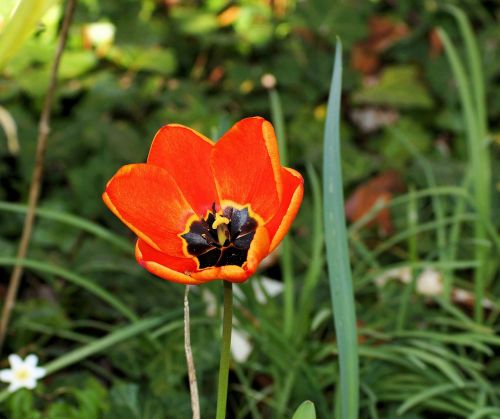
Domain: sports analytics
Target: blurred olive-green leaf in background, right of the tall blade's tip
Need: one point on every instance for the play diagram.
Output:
(399, 86)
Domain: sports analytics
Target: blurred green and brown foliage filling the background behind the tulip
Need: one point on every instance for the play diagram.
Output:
(132, 66)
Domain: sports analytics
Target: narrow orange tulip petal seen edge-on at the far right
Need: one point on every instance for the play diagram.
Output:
(293, 191)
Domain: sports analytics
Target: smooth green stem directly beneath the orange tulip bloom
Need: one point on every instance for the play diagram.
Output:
(225, 354)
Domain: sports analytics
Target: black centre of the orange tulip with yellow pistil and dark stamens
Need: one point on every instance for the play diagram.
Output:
(221, 239)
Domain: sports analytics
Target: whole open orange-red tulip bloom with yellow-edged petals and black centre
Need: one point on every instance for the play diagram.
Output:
(205, 210)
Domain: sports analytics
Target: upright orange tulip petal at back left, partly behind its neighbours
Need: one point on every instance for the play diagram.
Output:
(185, 154)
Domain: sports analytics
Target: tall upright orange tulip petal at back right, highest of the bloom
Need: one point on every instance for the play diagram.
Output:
(246, 166)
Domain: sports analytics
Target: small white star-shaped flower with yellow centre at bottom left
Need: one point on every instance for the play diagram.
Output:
(22, 373)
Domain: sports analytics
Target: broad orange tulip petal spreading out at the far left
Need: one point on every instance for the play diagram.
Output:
(149, 202)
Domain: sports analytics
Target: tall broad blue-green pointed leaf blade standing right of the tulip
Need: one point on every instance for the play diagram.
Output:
(337, 252)
